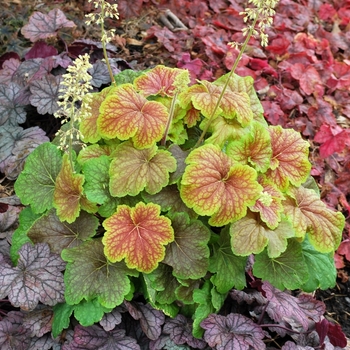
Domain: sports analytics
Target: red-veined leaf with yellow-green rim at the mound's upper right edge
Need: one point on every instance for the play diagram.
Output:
(289, 162)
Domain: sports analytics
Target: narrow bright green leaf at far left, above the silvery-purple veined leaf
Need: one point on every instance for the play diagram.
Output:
(19, 238)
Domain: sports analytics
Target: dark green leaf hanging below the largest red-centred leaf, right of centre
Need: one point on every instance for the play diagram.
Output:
(229, 269)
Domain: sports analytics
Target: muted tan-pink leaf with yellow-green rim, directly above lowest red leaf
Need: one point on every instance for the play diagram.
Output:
(133, 170)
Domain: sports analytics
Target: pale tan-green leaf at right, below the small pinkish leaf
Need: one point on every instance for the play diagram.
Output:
(250, 236)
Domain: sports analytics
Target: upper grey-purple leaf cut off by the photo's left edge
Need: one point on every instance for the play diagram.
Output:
(11, 112)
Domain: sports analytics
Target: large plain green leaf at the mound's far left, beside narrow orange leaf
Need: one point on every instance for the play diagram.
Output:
(36, 183)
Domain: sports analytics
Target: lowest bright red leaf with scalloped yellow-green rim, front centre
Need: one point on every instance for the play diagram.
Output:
(137, 234)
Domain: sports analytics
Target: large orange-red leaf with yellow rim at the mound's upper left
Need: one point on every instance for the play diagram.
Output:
(126, 114)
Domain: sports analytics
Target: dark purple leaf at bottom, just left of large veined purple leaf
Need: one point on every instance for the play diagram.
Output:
(180, 331)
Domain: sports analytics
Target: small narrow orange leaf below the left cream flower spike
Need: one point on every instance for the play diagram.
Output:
(68, 192)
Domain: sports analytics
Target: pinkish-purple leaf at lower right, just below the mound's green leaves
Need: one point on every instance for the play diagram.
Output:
(283, 307)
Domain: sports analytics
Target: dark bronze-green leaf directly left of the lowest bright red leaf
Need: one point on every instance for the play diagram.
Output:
(59, 235)
